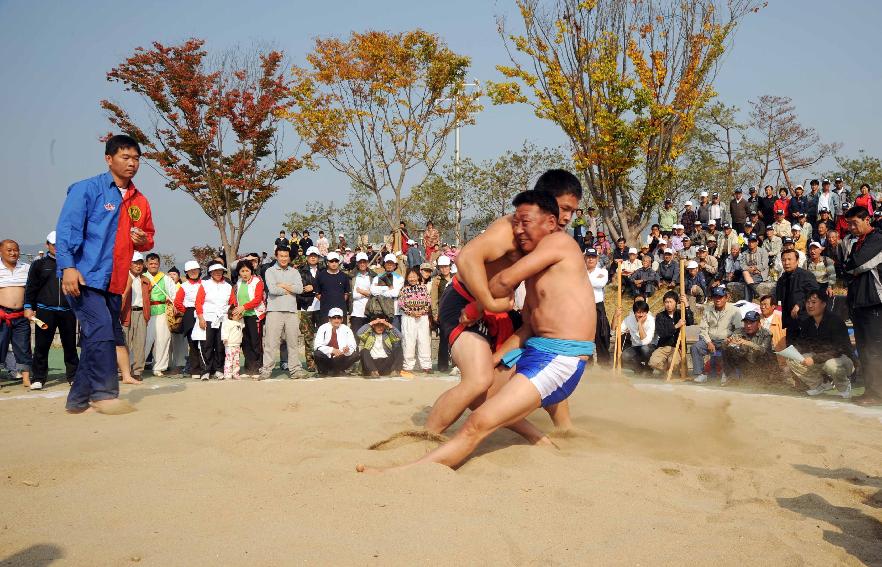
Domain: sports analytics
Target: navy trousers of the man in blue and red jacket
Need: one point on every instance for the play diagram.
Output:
(100, 333)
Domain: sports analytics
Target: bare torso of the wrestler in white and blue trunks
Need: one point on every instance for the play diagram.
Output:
(560, 299)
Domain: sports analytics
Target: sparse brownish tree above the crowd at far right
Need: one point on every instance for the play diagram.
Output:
(779, 143)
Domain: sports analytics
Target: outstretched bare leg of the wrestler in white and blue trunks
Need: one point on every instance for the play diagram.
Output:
(517, 399)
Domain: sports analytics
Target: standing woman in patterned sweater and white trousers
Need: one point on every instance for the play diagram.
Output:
(413, 302)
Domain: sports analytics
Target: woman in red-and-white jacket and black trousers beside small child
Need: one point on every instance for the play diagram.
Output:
(247, 297)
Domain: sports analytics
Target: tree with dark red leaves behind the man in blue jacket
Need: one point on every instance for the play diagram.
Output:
(212, 127)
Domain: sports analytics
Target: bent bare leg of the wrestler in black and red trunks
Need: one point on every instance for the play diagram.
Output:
(473, 356)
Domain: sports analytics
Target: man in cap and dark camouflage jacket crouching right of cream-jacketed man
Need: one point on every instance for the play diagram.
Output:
(748, 350)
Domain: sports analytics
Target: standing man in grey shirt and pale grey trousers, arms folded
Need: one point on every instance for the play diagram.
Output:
(282, 322)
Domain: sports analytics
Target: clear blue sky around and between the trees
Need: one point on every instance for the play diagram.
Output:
(825, 55)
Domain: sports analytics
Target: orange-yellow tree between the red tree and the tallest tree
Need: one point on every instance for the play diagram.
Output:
(379, 107)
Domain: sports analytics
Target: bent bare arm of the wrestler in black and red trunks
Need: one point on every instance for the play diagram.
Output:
(472, 260)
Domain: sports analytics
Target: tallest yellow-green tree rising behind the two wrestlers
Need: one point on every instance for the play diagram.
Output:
(623, 79)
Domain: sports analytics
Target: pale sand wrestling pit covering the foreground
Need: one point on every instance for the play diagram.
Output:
(243, 473)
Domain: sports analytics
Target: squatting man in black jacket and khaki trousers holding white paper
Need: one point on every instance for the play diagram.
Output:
(822, 338)
